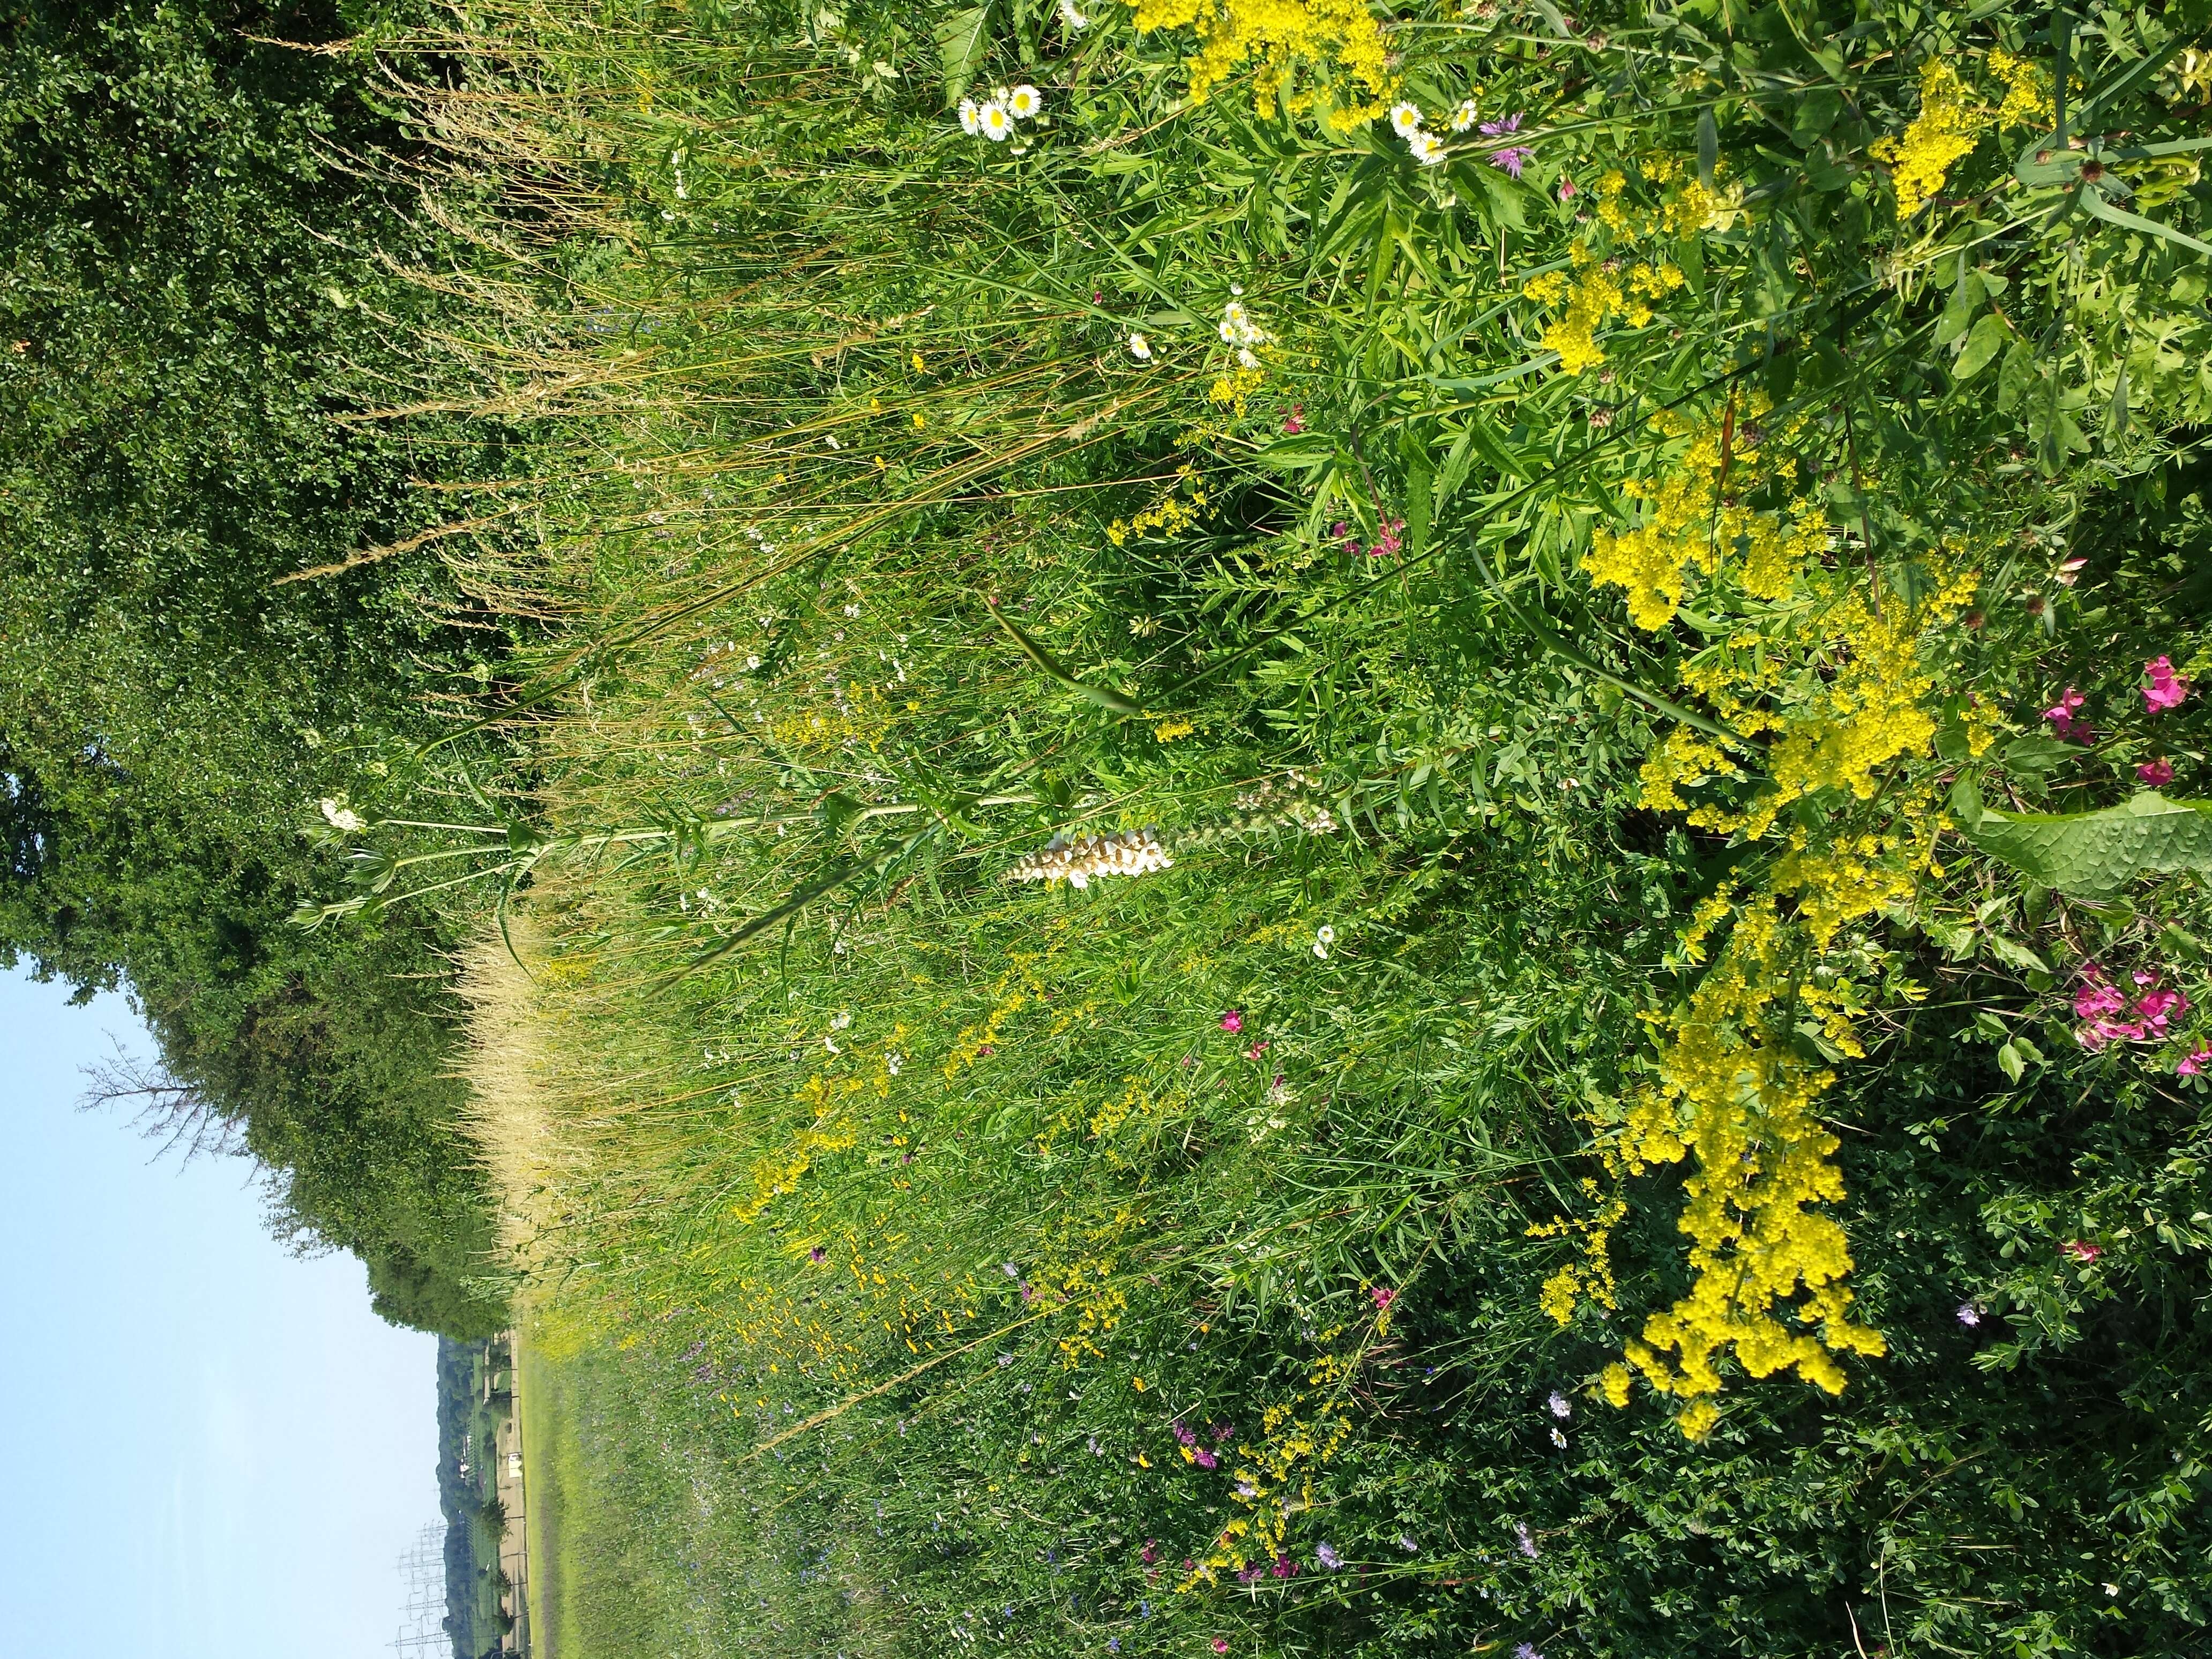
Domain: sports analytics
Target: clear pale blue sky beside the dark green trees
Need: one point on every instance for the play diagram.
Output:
(211, 1450)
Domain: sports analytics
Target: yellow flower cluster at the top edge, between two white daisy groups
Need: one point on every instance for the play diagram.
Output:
(1282, 34)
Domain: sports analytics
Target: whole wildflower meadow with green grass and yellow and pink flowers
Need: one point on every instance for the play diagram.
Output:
(1249, 899)
